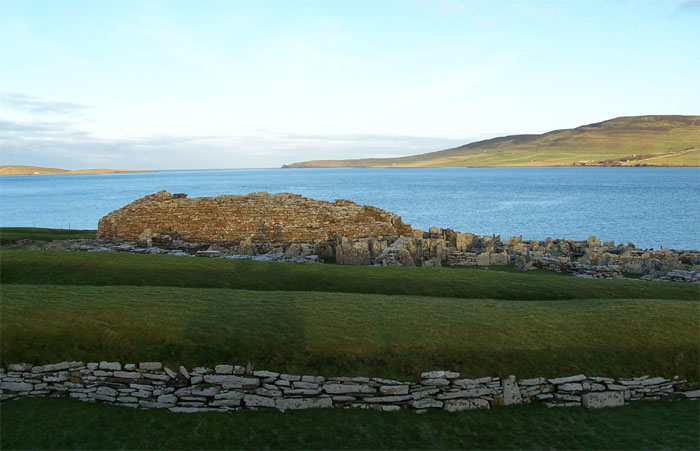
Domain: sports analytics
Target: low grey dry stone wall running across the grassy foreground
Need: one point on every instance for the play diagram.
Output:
(151, 385)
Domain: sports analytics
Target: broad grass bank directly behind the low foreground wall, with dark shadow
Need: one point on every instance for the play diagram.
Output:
(350, 334)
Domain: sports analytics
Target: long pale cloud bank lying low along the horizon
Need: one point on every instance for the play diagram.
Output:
(62, 145)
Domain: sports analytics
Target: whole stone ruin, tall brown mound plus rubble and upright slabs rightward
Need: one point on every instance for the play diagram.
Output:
(289, 227)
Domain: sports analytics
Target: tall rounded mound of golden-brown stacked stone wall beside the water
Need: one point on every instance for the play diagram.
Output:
(257, 218)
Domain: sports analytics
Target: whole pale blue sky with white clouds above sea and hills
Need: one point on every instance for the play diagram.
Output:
(235, 84)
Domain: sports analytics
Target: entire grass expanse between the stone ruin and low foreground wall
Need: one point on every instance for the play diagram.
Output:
(341, 319)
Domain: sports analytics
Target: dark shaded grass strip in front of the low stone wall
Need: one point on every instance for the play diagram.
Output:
(69, 424)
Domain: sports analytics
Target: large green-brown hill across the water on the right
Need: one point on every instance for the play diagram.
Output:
(624, 141)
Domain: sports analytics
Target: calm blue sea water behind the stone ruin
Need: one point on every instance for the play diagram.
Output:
(650, 207)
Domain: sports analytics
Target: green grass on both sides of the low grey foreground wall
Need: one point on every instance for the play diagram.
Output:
(342, 320)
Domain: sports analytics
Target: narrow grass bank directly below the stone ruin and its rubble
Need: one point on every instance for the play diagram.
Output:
(78, 268)
